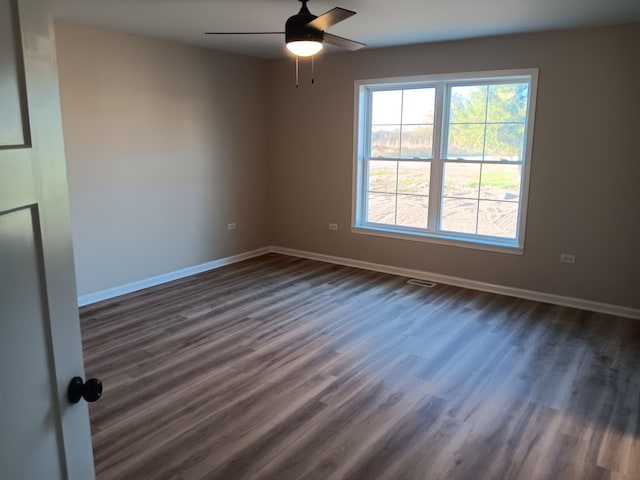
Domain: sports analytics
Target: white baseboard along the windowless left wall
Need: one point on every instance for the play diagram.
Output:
(167, 277)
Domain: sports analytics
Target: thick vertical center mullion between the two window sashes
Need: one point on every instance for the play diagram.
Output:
(435, 182)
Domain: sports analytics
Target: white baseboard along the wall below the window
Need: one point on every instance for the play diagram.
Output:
(471, 284)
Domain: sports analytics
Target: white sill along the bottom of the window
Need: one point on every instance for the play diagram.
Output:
(450, 240)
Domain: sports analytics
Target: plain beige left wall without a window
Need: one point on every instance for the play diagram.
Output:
(165, 146)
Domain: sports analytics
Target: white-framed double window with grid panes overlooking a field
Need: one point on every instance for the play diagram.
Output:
(445, 158)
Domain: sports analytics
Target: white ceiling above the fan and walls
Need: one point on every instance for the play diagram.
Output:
(378, 23)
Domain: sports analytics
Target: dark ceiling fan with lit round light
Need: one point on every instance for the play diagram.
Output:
(305, 32)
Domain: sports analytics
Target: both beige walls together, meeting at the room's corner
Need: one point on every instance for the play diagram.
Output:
(166, 144)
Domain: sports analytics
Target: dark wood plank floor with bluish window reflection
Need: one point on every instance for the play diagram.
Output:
(283, 368)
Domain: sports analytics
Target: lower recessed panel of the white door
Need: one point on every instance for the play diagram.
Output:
(25, 356)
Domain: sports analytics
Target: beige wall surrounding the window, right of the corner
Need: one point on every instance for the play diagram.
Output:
(585, 178)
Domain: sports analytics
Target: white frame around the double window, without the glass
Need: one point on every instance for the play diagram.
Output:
(363, 89)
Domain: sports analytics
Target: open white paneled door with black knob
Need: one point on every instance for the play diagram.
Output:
(42, 436)
